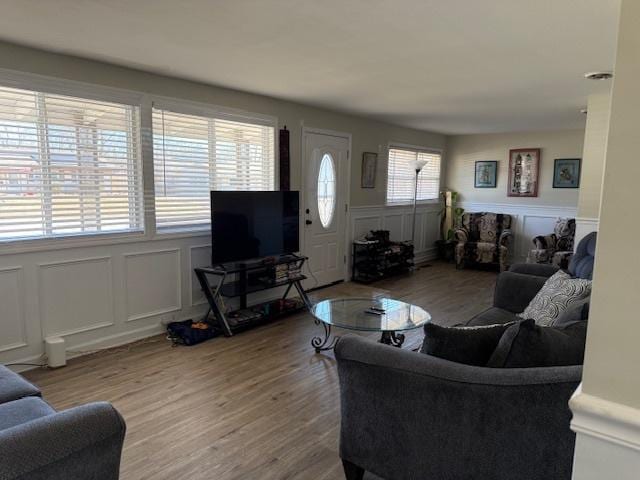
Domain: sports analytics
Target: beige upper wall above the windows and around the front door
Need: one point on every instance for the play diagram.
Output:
(368, 135)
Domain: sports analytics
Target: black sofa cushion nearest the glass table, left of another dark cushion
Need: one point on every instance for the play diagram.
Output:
(467, 345)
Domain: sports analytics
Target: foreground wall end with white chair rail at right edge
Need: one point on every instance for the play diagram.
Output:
(607, 408)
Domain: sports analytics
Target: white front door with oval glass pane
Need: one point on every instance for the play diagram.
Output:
(325, 206)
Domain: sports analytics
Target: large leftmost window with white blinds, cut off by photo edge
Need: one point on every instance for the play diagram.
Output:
(68, 166)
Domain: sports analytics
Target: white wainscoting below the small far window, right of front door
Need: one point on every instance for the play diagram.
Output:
(398, 219)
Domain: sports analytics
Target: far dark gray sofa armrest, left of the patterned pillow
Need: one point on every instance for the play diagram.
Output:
(514, 291)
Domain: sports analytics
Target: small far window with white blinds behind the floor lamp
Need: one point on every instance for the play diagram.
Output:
(401, 179)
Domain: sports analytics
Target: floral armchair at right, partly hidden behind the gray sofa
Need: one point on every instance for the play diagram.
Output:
(557, 247)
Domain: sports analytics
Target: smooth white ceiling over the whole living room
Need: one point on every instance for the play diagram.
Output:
(453, 66)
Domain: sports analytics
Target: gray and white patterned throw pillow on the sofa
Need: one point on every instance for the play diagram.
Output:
(558, 293)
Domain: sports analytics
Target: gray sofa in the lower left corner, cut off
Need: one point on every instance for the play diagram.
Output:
(38, 443)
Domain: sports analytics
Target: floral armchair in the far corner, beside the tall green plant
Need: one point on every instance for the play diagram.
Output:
(483, 238)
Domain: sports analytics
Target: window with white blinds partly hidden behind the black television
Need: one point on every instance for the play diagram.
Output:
(196, 154)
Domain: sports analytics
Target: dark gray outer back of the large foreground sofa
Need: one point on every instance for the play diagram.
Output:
(409, 415)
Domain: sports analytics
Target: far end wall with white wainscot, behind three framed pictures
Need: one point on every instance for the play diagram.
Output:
(532, 216)
